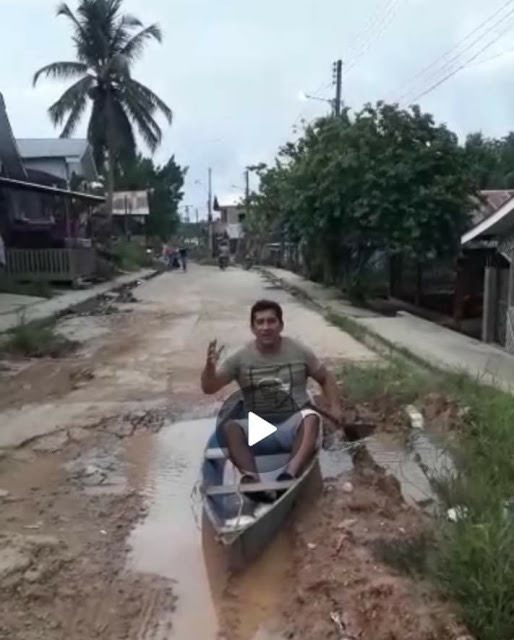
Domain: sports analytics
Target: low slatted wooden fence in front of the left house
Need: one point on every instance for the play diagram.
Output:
(54, 265)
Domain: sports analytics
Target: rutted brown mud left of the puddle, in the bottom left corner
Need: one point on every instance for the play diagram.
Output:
(62, 555)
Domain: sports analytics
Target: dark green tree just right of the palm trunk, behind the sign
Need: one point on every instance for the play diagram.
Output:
(165, 191)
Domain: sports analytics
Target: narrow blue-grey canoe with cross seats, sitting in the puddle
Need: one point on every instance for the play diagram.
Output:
(245, 535)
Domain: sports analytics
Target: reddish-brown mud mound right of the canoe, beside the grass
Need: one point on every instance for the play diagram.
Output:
(338, 587)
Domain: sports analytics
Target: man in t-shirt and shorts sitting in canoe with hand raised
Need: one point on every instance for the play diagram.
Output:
(286, 363)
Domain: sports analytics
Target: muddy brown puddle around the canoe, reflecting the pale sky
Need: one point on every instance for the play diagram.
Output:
(176, 543)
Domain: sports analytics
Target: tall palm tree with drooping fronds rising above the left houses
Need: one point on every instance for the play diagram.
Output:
(107, 43)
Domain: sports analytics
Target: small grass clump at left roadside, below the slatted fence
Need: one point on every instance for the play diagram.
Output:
(36, 340)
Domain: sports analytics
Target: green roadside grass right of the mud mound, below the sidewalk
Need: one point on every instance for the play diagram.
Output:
(471, 560)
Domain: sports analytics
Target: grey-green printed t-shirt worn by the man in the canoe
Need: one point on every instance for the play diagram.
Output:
(286, 370)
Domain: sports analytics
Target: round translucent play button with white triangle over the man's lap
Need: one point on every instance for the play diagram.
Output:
(267, 417)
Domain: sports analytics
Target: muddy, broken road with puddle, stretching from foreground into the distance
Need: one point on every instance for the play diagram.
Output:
(101, 534)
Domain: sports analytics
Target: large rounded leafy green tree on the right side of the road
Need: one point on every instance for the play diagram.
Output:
(386, 179)
